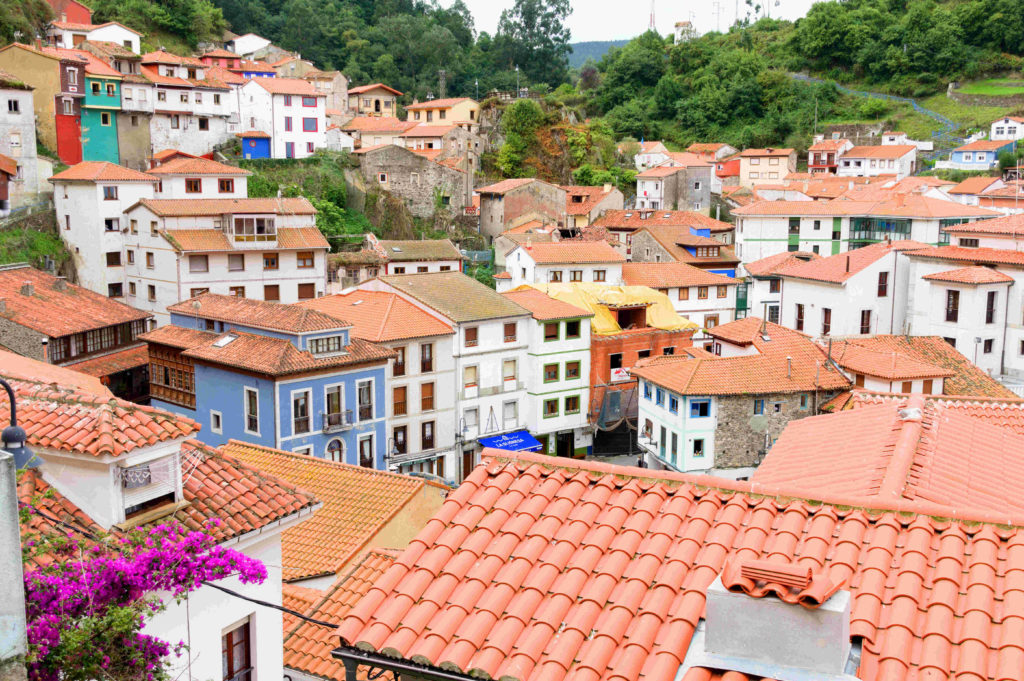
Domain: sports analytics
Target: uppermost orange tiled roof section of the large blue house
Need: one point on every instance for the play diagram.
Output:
(259, 314)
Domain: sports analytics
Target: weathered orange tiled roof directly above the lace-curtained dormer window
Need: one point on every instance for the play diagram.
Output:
(72, 420)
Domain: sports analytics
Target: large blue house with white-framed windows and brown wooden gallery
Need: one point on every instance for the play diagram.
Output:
(276, 375)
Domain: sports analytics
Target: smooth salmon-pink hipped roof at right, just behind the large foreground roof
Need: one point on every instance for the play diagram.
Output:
(890, 451)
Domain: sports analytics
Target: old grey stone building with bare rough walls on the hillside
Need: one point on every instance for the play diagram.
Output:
(423, 185)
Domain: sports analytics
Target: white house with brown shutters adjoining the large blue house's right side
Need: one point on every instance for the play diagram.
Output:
(421, 402)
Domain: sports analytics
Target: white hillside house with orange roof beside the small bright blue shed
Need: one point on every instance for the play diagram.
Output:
(289, 110)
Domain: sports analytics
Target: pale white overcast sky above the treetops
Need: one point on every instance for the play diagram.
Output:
(614, 20)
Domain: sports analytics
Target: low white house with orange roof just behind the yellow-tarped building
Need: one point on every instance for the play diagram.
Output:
(568, 262)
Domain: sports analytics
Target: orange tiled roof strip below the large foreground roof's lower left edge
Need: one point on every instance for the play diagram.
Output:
(309, 647)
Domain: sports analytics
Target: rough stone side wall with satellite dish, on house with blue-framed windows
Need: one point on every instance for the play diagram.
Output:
(740, 435)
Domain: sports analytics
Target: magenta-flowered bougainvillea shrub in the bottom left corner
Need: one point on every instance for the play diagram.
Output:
(88, 608)
